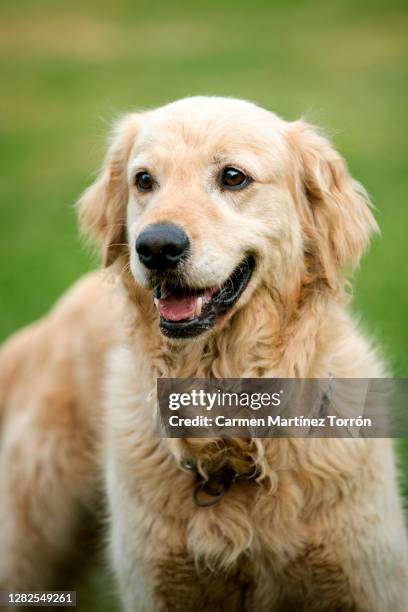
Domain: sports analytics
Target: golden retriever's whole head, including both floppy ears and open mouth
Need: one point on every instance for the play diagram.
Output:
(210, 198)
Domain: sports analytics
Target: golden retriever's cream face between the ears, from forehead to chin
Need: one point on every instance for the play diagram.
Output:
(206, 204)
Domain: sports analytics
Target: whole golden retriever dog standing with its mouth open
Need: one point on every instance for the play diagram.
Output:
(229, 230)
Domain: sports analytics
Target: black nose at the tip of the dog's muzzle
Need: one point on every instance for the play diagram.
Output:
(162, 246)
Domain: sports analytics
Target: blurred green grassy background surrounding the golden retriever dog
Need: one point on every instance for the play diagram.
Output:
(69, 68)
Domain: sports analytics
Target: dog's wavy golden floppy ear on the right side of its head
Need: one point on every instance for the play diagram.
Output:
(334, 208)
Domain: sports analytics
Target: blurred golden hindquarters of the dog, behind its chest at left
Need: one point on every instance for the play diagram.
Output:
(50, 392)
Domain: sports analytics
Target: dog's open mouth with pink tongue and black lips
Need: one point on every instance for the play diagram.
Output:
(186, 312)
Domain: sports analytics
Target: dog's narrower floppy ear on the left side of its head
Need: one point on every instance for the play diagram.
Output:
(102, 208)
